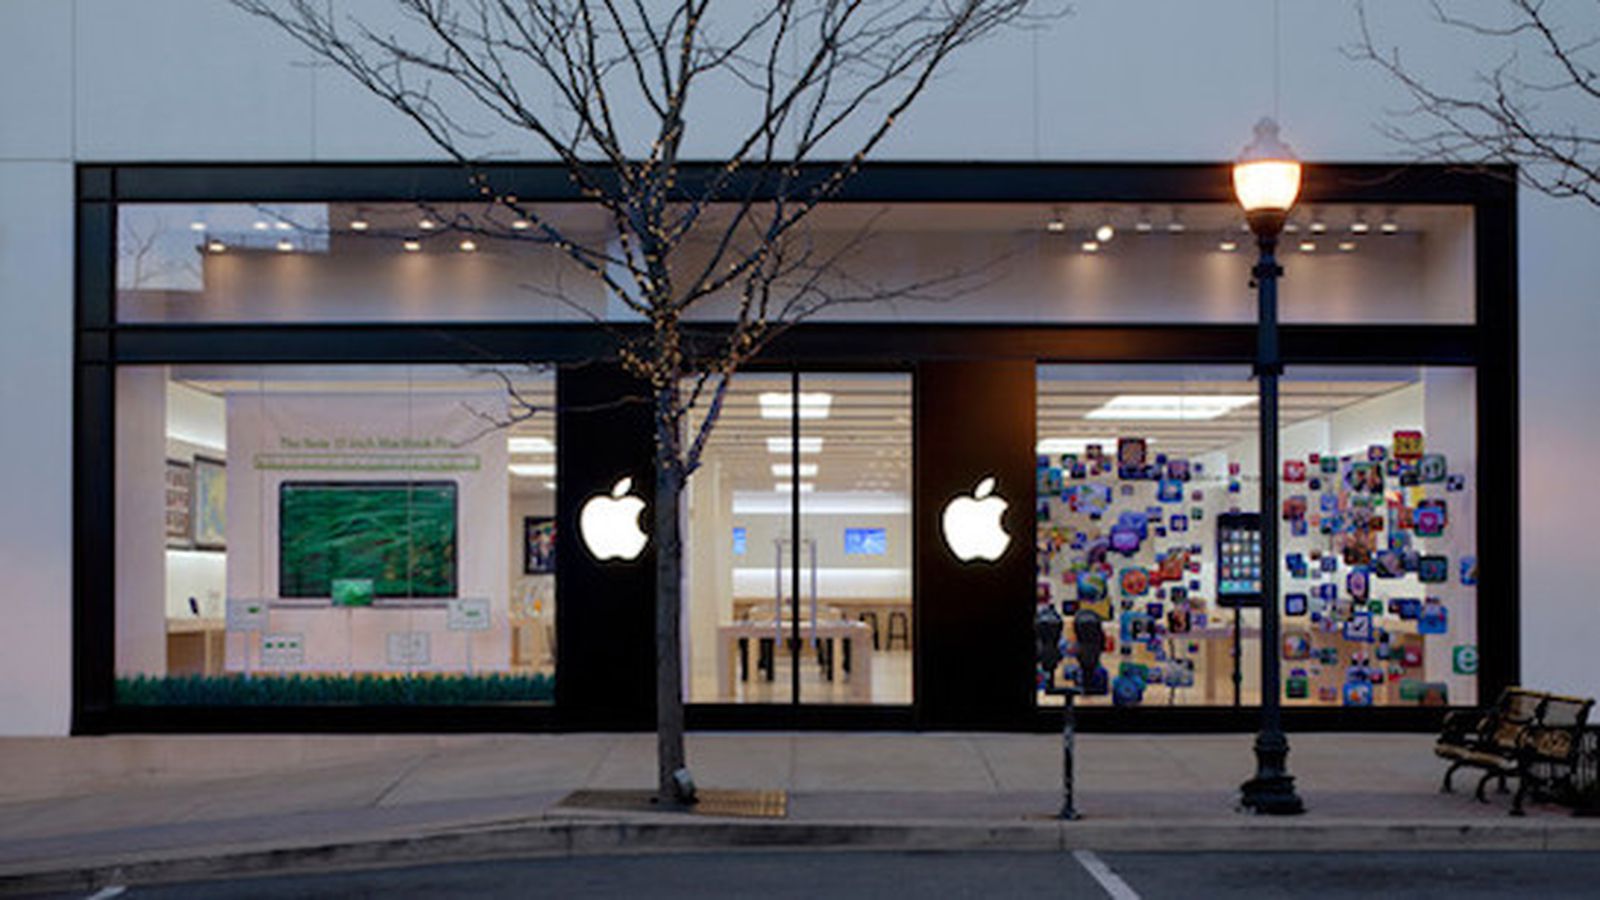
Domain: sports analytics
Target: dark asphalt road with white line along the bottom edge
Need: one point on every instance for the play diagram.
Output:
(770, 875)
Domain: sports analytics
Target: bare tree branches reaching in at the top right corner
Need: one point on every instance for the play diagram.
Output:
(1537, 106)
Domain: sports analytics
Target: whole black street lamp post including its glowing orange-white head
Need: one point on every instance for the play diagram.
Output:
(1266, 182)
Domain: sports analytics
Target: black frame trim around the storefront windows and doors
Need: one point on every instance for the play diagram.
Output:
(604, 696)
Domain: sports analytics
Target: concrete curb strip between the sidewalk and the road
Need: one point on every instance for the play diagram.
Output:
(666, 835)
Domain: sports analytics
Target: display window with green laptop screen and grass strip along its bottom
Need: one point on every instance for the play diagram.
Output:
(308, 536)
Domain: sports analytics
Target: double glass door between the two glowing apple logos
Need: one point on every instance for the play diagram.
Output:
(799, 544)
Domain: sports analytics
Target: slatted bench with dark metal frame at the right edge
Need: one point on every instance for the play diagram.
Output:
(1529, 734)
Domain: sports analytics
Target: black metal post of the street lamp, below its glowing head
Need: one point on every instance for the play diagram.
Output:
(1273, 790)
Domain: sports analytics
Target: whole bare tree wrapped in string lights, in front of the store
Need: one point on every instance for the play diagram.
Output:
(801, 90)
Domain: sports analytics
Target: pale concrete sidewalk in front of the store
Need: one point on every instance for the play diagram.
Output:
(79, 813)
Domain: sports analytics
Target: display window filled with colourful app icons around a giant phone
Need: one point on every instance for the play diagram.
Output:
(1148, 518)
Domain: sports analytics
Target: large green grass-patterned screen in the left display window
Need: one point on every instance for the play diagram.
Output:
(401, 536)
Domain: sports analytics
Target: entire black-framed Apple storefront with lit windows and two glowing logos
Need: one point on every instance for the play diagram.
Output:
(348, 465)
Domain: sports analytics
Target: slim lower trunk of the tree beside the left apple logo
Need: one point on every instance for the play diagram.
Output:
(670, 651)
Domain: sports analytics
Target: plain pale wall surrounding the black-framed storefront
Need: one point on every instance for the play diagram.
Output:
(1119, 81)
